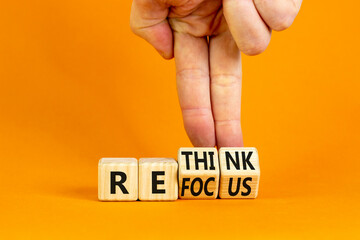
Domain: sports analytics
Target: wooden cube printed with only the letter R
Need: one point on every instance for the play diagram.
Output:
(118, 179)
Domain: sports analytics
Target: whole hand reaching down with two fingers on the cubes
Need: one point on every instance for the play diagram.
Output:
(206, 38)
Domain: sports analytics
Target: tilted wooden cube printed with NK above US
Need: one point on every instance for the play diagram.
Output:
(240, 172)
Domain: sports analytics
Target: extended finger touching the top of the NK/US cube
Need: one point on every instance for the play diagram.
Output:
(226, 74)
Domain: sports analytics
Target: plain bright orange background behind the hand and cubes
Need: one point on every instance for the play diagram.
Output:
(76, 85)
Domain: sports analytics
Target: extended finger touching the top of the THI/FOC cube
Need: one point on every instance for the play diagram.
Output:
(192, 77)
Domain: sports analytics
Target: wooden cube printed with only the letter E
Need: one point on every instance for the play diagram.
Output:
(158, 179)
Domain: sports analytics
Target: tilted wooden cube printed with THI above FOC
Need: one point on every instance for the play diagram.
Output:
(198, 173)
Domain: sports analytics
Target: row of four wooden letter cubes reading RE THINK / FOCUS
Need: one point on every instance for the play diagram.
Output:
(199, 173)
